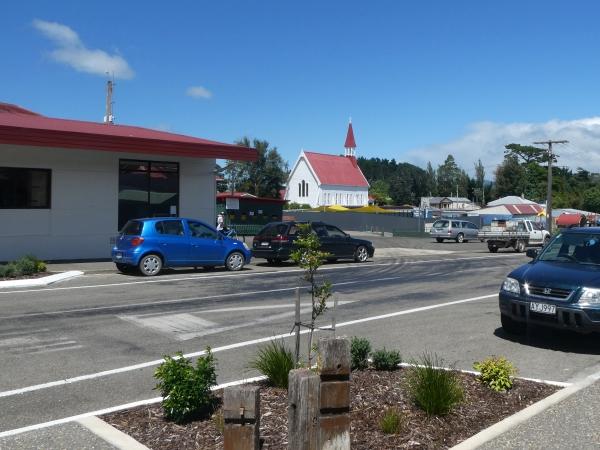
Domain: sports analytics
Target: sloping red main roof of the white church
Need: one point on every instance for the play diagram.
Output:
(336, 170)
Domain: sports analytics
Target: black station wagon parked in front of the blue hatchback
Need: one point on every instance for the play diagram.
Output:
(275, 242)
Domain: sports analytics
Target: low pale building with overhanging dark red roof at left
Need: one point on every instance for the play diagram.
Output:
(67, 186)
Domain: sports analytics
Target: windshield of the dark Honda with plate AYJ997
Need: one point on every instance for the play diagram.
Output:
(580, 248)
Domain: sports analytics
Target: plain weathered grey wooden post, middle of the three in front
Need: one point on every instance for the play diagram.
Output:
(303, 410)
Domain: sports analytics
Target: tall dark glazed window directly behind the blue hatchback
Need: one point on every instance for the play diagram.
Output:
(147, 189)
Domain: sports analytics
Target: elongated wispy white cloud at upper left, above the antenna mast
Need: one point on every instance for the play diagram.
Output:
(70, 50)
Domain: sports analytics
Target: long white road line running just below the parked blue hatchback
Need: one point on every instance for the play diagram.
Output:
(164, 279)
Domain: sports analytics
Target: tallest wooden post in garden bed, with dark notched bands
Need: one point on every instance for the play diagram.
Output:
(334, 394)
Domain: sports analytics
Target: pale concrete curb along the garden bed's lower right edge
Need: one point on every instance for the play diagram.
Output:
(522, 416)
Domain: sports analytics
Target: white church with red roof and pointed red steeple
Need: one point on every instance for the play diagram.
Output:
(319, 179)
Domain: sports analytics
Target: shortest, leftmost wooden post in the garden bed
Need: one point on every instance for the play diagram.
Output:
(241, 416)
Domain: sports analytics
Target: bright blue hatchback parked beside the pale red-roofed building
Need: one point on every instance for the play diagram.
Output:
(152, 244)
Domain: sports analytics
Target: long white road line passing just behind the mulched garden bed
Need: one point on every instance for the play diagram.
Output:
(156, 362)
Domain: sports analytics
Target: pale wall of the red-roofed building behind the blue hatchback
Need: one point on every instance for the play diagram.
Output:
(84, 201)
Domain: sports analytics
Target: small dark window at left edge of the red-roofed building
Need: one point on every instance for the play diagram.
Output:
(24, 188)
